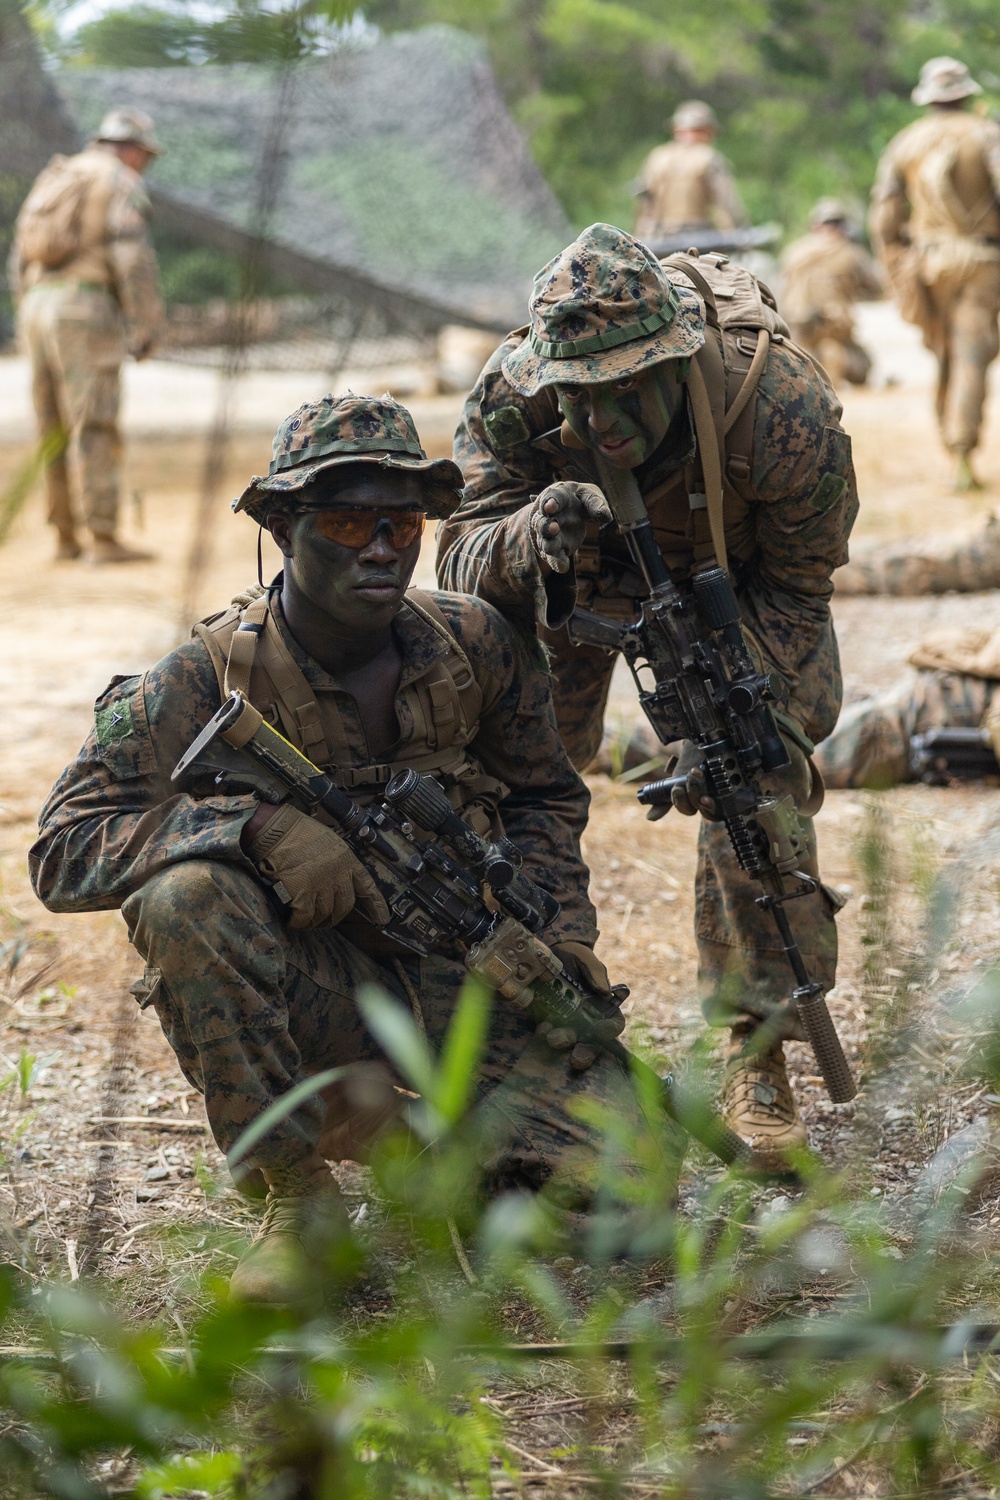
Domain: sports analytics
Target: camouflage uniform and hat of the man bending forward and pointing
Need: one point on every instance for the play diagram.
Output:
(788, 511)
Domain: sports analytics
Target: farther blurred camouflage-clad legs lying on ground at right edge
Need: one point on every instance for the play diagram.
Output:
(932, 565)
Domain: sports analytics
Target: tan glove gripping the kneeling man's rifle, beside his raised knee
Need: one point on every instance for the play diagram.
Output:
(320, 877)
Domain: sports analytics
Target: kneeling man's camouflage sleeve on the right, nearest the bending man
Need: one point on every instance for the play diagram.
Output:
(518, 742)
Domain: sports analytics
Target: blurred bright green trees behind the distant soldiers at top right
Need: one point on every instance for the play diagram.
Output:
(809, 91)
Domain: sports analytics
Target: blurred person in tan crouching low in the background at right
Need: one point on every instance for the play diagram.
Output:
(824, 275)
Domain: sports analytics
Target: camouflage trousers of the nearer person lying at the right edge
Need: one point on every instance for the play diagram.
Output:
(954, 688)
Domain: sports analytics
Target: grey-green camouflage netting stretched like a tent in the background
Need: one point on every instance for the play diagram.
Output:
(392, 164)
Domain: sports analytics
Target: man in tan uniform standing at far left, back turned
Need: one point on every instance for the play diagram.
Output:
(85, 272)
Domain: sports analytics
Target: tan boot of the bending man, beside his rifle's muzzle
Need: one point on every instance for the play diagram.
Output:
(759, 1106)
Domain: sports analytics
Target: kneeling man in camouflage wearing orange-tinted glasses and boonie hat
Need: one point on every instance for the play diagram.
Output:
(368, 680)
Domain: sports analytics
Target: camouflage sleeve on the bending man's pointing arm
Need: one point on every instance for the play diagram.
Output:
(487, 547)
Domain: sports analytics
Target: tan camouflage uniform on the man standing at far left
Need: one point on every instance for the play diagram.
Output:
(77, 323)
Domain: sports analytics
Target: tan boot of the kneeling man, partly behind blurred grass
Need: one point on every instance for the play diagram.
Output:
(305, 1214)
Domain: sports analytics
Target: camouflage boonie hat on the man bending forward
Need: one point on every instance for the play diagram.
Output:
(600, 311)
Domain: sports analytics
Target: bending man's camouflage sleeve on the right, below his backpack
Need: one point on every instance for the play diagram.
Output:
(804, 482)
